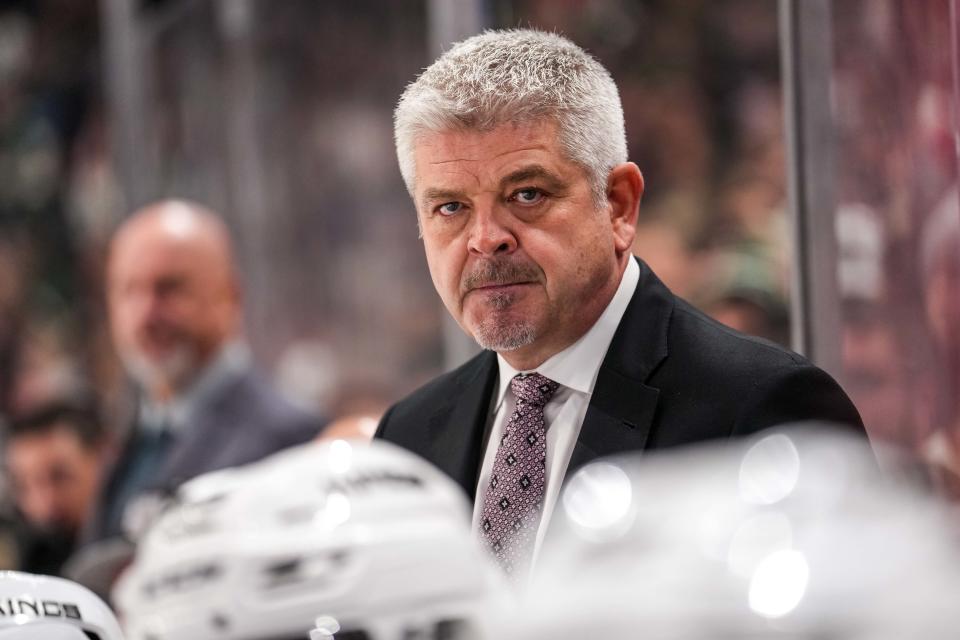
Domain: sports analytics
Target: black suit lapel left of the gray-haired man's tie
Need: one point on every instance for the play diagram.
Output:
(456, 429)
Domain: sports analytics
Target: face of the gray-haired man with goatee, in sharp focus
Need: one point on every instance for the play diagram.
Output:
(517, 249)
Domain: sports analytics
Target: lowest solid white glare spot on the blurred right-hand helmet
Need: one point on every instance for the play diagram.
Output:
(779, 583)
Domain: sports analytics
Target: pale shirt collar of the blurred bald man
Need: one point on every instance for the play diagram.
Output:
(232, 360)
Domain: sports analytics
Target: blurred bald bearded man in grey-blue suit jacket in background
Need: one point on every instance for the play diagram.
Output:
(175, 310)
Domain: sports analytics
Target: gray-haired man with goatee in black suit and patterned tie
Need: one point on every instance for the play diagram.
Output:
(513, 148)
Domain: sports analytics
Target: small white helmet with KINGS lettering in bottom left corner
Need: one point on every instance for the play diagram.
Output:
(46, 608)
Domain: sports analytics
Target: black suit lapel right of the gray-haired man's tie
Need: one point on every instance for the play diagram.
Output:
(622, 407)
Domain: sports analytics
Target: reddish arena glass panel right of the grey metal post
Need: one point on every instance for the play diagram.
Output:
(896, 231)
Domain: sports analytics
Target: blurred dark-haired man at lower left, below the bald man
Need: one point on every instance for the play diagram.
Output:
(53, 459)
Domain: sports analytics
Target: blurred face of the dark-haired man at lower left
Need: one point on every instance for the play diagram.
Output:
(53, 477)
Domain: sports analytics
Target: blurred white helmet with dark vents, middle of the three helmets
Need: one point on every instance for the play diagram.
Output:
(366, 533)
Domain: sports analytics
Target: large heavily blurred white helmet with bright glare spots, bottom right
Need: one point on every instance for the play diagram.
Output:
(795, 534)
